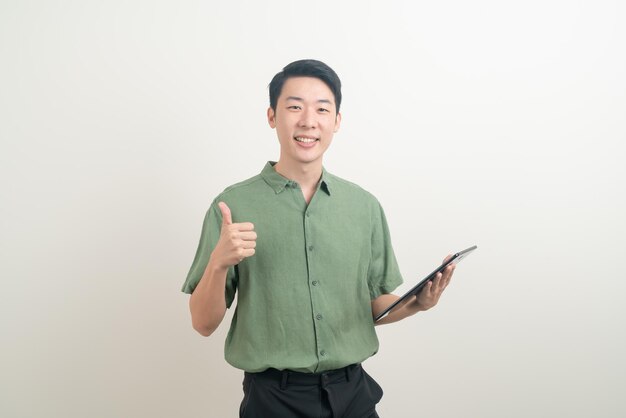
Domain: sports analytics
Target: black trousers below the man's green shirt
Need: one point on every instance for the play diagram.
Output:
(343, 393)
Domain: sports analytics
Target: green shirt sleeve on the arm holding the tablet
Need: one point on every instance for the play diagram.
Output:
(383, 274)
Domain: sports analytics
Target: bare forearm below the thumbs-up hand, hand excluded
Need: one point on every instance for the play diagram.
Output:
(208, 301)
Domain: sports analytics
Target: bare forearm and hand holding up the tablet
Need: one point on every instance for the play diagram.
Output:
(424, 300)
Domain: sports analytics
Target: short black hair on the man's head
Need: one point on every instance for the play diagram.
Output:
(306, 68)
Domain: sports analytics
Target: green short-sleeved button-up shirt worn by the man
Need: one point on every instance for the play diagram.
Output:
(304, 298)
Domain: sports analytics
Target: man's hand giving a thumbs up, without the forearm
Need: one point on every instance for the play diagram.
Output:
(237, 240)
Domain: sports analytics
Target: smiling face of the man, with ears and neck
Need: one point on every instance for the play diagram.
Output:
(305, 120)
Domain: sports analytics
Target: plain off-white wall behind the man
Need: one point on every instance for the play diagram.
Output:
(494, 123)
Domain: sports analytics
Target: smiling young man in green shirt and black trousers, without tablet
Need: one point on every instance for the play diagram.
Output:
(310, 257)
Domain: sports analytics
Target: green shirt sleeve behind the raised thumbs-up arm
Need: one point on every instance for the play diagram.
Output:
(209, 236)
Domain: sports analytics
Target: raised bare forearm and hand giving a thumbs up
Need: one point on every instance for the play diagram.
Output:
(207, 302)
